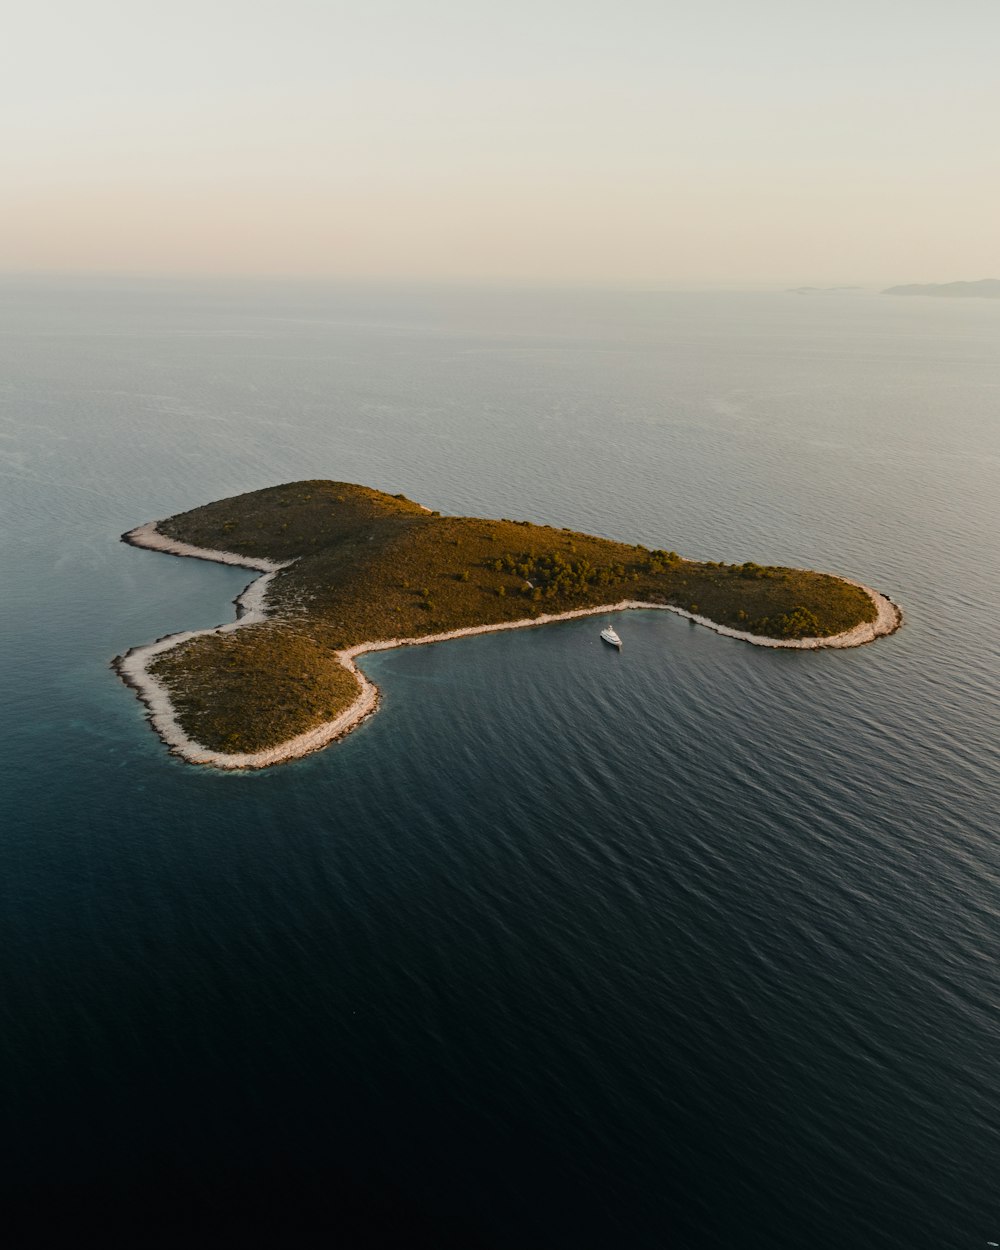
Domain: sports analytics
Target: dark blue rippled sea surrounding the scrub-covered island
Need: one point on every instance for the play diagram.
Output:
(693, 946)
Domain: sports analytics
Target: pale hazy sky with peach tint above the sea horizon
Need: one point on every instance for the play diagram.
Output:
(642, 142)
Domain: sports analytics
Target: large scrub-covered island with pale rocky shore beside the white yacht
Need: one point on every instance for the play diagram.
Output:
(348, 569)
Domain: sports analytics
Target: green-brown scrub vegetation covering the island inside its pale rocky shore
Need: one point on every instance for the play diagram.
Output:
(372, 567)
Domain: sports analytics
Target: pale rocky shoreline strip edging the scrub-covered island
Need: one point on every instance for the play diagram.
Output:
(252, 608)
